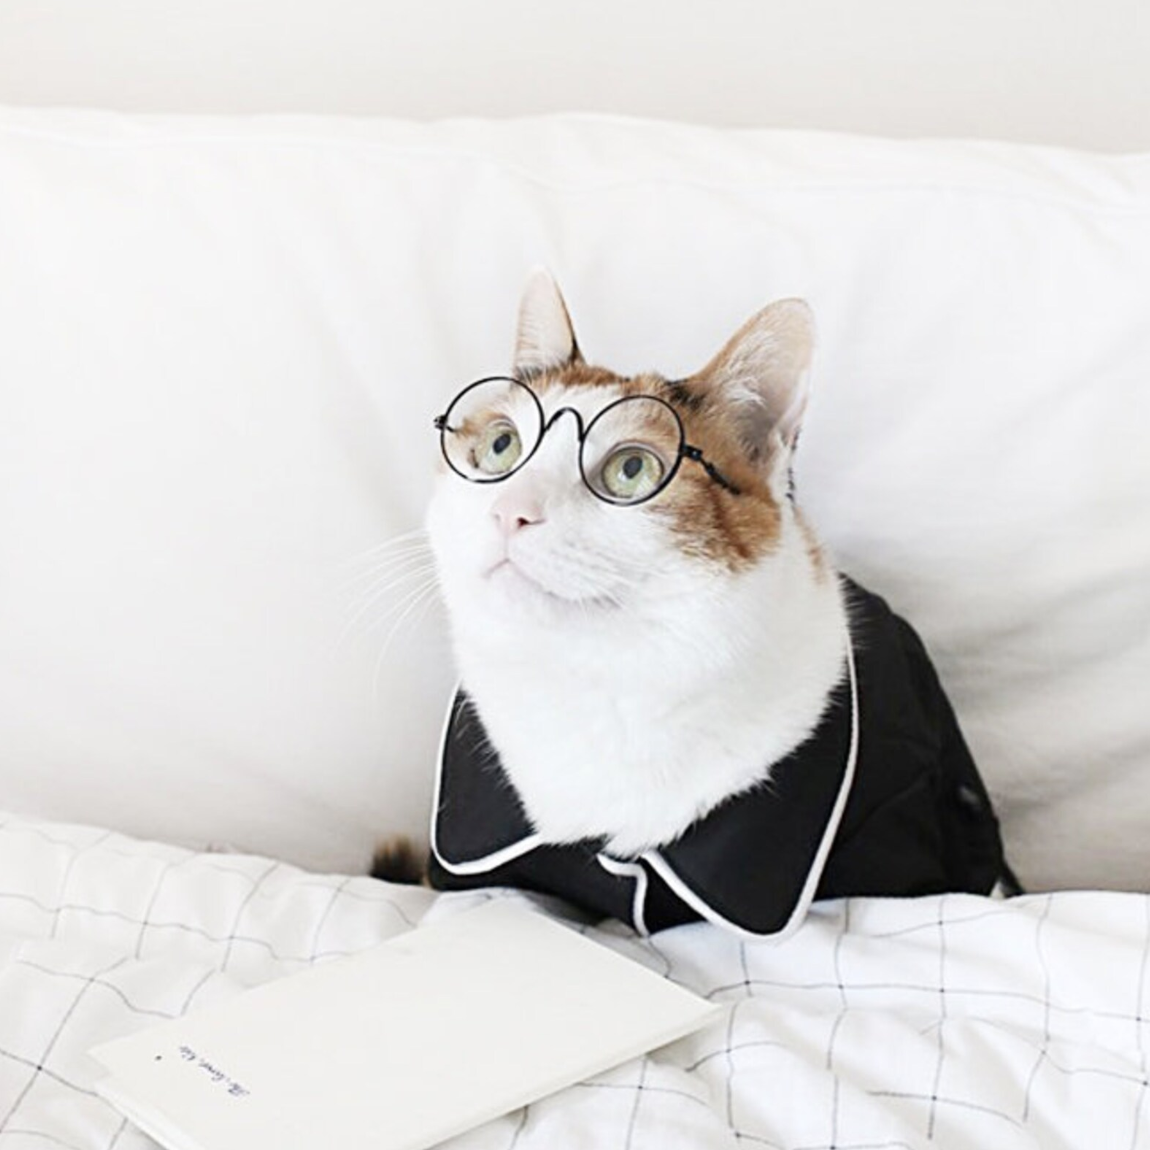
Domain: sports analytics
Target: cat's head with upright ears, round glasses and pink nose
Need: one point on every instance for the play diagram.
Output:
(559, 522)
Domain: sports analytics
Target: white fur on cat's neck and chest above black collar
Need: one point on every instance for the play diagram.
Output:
(634, 729)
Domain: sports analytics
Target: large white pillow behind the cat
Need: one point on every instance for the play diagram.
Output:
(223, 342)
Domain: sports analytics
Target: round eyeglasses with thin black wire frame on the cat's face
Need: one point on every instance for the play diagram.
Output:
(627, 455)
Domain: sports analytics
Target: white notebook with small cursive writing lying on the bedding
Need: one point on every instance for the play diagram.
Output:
(400, 1047)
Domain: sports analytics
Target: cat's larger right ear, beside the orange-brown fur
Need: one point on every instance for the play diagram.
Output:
(763, 377)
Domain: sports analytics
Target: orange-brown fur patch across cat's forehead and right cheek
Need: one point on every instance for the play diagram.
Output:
(710, 522)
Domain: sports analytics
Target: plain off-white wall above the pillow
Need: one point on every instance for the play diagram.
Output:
(1062, 72)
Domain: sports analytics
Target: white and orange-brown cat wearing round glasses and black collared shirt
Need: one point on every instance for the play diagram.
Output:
(658, 657)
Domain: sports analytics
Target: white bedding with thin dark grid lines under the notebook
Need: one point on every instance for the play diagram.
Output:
(955, 1022)
